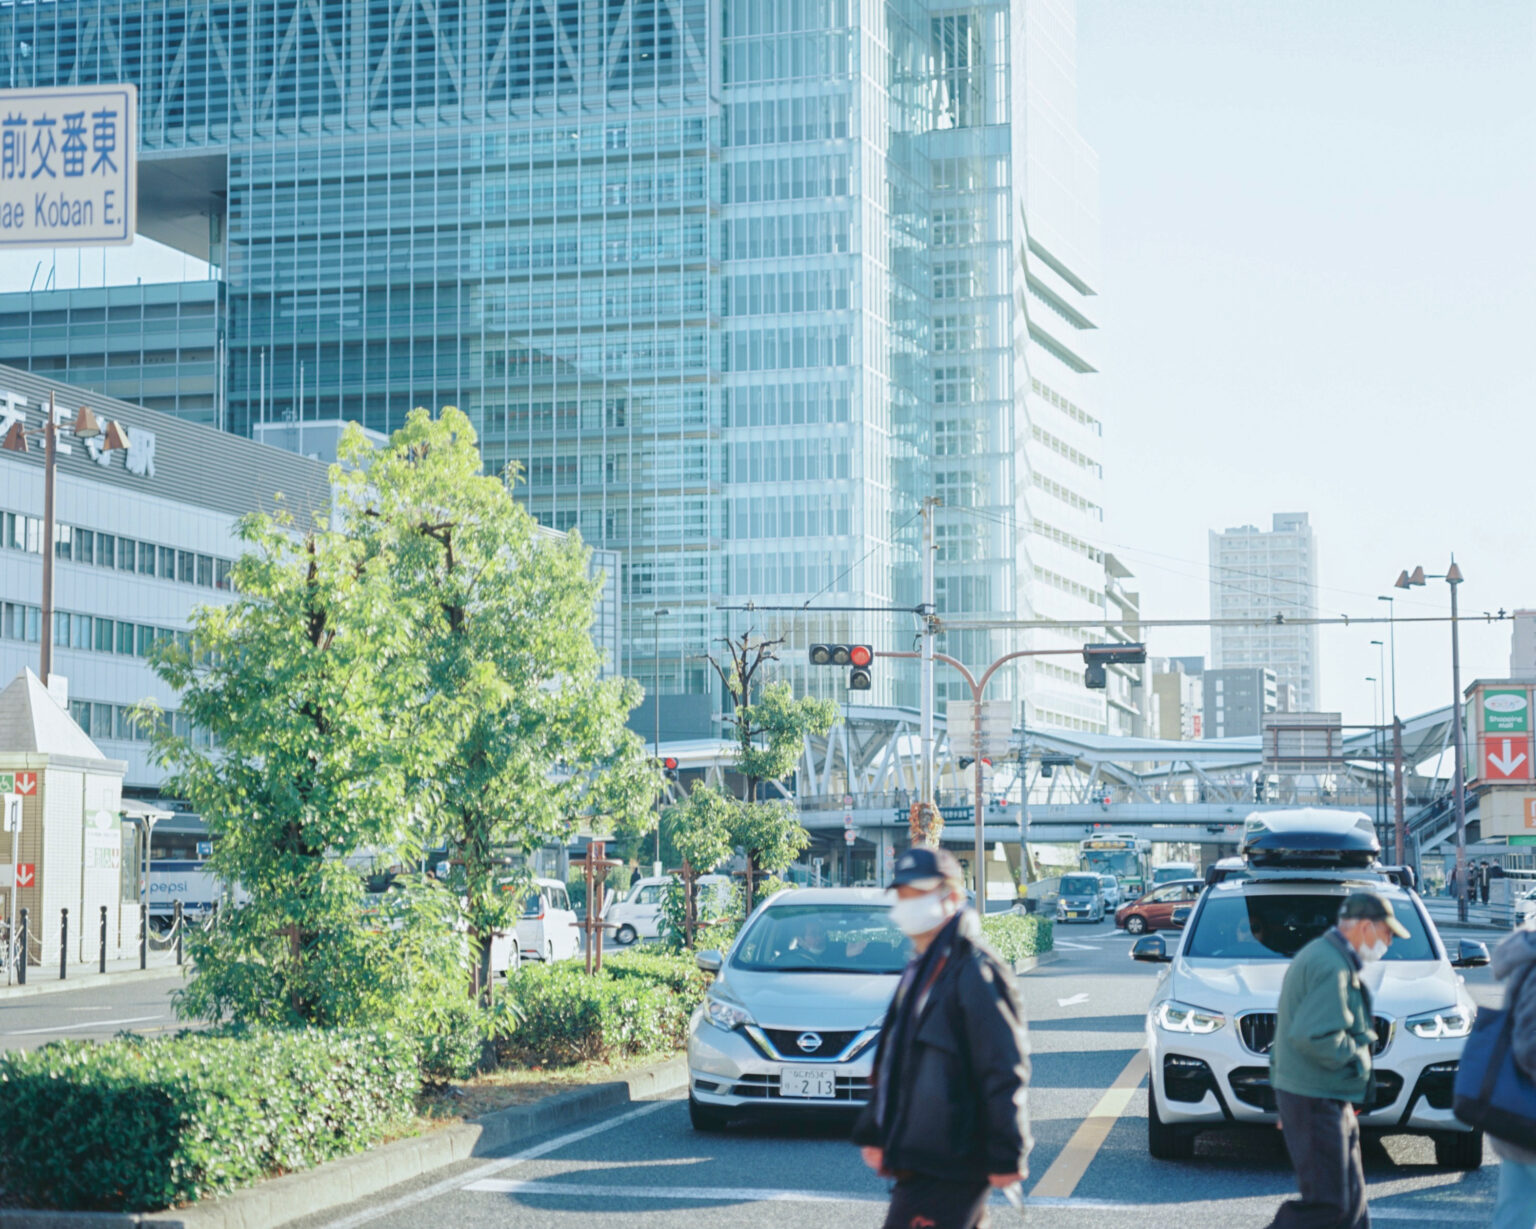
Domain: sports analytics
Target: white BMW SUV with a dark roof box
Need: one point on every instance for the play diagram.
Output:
(1214, 1013)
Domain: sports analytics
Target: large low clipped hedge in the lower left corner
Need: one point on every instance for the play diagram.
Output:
(145, 1125)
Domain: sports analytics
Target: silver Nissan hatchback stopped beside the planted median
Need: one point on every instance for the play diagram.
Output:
(796, 1009)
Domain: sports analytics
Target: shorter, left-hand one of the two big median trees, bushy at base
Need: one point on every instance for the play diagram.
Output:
(306, 772)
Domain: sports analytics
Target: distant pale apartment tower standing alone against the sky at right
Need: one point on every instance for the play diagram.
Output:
(1257, 575)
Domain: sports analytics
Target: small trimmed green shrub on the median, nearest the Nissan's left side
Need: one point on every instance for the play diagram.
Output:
(571, 1018)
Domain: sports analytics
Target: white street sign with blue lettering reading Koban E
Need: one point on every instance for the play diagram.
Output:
(68, 167)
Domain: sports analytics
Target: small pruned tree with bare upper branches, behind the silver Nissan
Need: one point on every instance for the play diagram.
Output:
(770, 729)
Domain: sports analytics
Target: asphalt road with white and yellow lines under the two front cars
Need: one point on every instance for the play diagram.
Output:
(1090, 1167)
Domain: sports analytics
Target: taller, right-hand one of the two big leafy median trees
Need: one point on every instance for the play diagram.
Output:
(523, 737)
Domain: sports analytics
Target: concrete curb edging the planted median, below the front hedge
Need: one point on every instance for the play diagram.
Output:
(277, 1202)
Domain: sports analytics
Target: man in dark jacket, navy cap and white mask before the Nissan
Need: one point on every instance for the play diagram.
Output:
(947, 1118)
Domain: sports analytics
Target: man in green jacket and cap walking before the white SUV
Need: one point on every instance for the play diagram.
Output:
(1320, 1065)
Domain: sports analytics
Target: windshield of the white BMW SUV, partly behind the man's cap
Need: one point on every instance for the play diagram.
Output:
(1277, 927)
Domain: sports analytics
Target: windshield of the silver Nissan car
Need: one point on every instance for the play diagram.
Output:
(823, 939)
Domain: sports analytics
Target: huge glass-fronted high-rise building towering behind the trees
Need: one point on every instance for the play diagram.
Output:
(735, 283)
